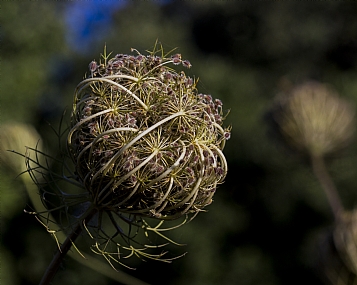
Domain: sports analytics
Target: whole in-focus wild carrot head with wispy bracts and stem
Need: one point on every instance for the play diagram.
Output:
(144, 148)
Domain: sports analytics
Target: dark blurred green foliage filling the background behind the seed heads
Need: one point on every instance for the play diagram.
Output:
(266, 218)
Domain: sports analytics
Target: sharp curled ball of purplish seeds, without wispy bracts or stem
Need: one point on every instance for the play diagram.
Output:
(143, 140)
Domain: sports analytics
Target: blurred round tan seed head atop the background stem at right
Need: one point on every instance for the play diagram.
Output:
(314, 120)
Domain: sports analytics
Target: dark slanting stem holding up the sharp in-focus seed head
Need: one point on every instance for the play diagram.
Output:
(62, 251)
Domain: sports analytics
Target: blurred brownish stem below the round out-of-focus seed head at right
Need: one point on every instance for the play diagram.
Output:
(320, 171)
